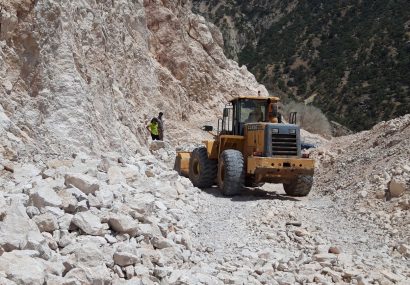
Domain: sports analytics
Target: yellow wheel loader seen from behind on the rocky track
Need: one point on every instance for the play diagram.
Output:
(252, 146)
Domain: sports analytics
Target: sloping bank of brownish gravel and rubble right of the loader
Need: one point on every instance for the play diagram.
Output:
(366, 177)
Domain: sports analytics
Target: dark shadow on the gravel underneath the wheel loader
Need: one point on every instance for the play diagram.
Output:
(250, 194)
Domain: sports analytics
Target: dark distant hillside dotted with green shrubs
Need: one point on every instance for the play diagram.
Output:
(350, 58)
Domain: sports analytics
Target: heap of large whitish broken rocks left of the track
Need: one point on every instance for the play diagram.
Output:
(94, 221)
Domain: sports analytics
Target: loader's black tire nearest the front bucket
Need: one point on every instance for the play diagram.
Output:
(202, 170)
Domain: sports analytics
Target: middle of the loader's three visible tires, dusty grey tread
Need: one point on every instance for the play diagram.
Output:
(231, 172)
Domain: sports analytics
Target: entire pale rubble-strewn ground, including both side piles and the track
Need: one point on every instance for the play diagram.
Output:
(132, 220)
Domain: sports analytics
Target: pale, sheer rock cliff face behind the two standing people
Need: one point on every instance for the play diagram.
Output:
(88, 75)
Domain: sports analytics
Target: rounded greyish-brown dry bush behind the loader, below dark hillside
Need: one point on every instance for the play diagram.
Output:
(309, 118)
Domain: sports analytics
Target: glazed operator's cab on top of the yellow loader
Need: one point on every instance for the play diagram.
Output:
(245, 110)
